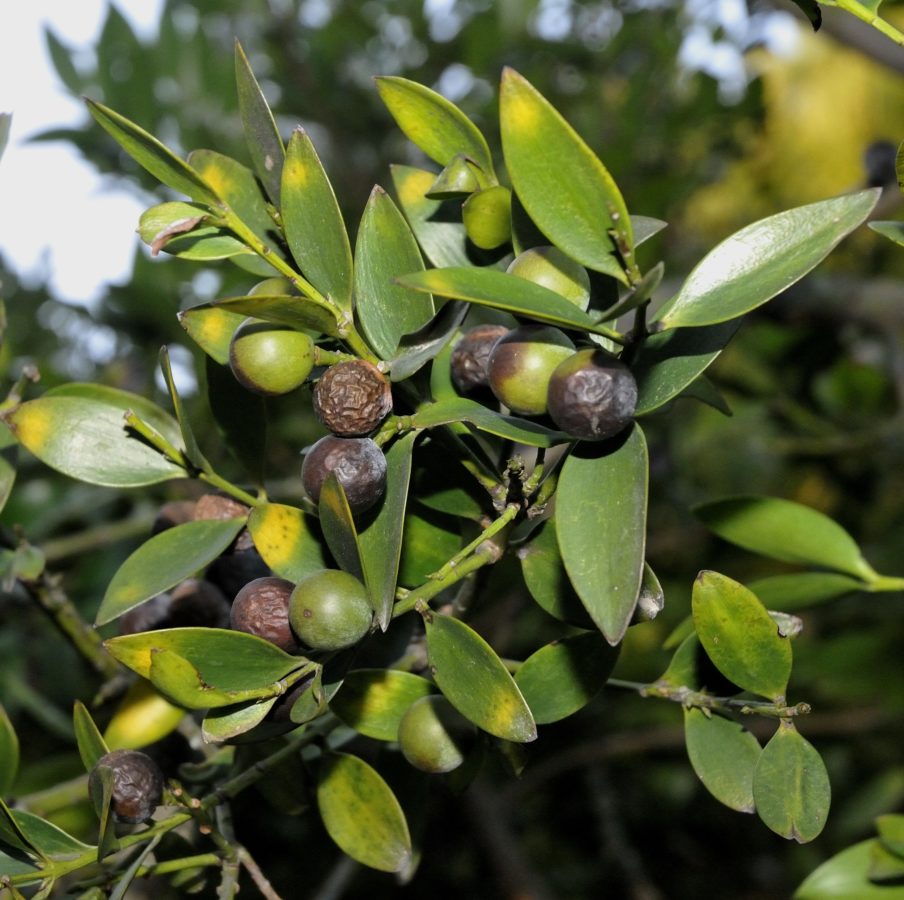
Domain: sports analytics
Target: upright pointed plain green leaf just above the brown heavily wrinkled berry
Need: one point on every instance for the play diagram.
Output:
(385, 249)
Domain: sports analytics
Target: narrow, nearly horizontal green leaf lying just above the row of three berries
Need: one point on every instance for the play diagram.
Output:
(500, 290)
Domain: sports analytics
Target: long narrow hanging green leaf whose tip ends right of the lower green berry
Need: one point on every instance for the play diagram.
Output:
(380, 541)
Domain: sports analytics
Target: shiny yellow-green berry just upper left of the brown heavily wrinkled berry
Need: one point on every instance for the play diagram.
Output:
(269, 359)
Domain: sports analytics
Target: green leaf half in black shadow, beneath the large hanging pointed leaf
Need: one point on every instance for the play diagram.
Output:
(564, 676)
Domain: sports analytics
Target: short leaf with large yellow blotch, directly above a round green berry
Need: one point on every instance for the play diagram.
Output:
(288, 540)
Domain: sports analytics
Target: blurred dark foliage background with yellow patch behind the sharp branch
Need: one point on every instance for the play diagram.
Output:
(701, 125)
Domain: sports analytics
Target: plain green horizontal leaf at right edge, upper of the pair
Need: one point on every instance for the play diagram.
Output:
(788, 531)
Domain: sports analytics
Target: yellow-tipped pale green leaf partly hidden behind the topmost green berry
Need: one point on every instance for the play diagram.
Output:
(442, 239)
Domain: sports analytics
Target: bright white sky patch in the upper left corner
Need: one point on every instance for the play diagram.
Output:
(56, 214)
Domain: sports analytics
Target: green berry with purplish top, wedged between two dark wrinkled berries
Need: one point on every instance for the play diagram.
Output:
(522, 363)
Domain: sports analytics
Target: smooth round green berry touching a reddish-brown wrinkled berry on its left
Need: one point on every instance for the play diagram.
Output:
(330, 610)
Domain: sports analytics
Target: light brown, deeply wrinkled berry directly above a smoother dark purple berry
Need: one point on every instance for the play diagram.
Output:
(352, 398)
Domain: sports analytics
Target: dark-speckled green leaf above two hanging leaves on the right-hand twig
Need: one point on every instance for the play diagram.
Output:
(739, 636)
